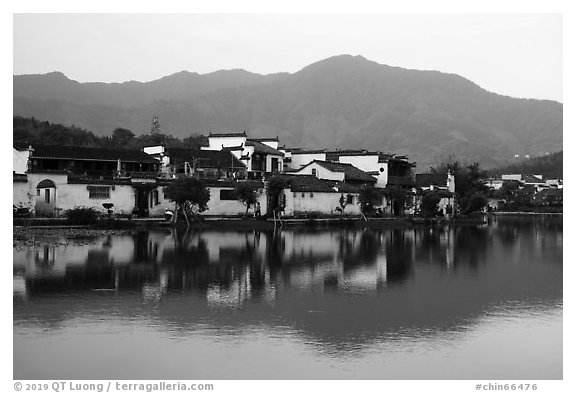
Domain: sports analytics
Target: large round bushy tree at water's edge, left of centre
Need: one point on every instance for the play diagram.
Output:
(190, 195)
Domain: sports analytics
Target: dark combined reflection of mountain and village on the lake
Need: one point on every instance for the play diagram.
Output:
(341, 287)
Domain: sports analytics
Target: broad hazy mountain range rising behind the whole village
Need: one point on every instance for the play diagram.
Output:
(341, 102)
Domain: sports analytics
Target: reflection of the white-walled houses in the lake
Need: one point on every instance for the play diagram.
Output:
(229, 267)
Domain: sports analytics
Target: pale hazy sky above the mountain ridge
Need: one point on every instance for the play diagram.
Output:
(513, 54)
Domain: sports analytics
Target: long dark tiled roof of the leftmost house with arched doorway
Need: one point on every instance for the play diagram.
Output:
(91, 153)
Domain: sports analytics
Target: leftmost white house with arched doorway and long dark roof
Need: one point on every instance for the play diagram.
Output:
(59, 178)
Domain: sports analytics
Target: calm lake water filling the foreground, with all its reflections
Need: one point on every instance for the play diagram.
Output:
(464, 302)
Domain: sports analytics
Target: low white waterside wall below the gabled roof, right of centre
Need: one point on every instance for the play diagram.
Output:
(319, 202)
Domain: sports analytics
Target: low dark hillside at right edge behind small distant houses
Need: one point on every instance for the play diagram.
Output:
(550, 166)
